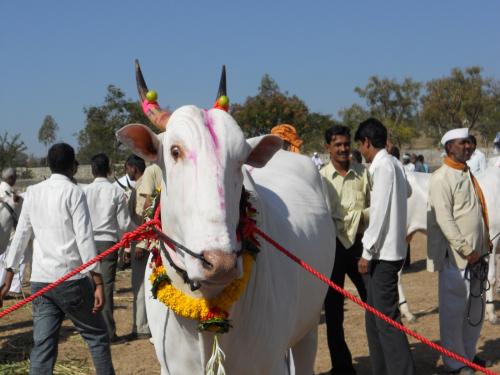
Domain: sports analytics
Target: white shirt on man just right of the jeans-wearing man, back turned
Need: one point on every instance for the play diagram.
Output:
(108, 209)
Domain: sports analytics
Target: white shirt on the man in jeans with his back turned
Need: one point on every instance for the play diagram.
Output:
(55, 212)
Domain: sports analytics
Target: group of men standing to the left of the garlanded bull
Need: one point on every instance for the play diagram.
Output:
(69, 226)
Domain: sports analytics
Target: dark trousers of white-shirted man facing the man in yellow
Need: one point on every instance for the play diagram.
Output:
(389, 348)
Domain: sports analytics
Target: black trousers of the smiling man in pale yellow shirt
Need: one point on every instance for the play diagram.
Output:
(346, 263)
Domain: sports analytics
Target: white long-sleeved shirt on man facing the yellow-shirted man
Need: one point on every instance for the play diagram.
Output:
(385, 237)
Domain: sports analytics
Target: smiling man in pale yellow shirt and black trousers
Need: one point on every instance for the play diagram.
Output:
(348, 188)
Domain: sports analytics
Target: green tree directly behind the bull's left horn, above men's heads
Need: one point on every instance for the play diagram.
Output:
(103, 121)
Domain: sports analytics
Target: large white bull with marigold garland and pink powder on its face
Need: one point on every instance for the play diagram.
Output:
(205, 161)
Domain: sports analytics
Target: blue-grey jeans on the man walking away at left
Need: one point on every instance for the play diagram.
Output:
(74, 300)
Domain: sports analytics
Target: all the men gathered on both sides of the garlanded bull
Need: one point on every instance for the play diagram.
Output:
(70, 225)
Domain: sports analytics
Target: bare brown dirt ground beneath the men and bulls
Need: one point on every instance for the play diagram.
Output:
(137, 357)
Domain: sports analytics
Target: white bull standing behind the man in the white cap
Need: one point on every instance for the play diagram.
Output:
(417, 221)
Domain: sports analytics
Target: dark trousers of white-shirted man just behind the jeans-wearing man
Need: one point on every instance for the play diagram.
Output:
(108, 272)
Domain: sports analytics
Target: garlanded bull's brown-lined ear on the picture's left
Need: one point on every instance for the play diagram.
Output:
(140, 140)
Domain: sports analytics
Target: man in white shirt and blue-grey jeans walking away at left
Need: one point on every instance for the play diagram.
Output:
(55, 213)
